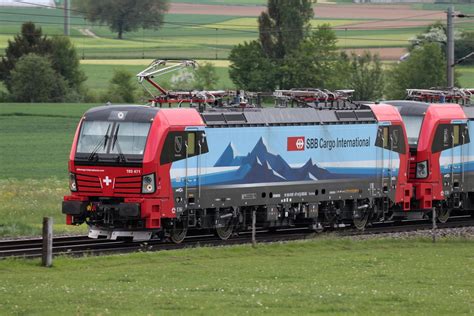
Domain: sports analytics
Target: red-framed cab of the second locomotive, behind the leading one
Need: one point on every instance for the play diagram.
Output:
(437, 134)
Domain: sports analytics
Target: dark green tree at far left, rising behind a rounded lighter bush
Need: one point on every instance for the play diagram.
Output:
(59, 51)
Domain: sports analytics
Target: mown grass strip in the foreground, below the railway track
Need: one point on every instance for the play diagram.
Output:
(324, 276)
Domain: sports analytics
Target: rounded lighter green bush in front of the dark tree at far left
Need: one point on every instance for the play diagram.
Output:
(34, 80)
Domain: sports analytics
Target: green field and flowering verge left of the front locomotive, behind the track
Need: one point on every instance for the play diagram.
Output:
(35, 140)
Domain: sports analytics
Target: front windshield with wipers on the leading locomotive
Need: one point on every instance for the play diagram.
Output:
(105, 137)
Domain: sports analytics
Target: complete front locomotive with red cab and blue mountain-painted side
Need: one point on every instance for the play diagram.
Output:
(144, 172)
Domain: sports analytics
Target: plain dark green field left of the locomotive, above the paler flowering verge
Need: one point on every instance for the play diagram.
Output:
(35, 139)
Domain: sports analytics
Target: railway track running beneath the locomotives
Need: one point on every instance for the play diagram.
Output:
(81, 245)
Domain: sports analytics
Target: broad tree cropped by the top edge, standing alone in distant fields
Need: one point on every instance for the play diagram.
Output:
(125, 15)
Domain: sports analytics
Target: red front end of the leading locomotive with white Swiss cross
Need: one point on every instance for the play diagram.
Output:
(117, 185)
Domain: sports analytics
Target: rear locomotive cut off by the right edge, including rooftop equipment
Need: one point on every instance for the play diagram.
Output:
(441, 170)
